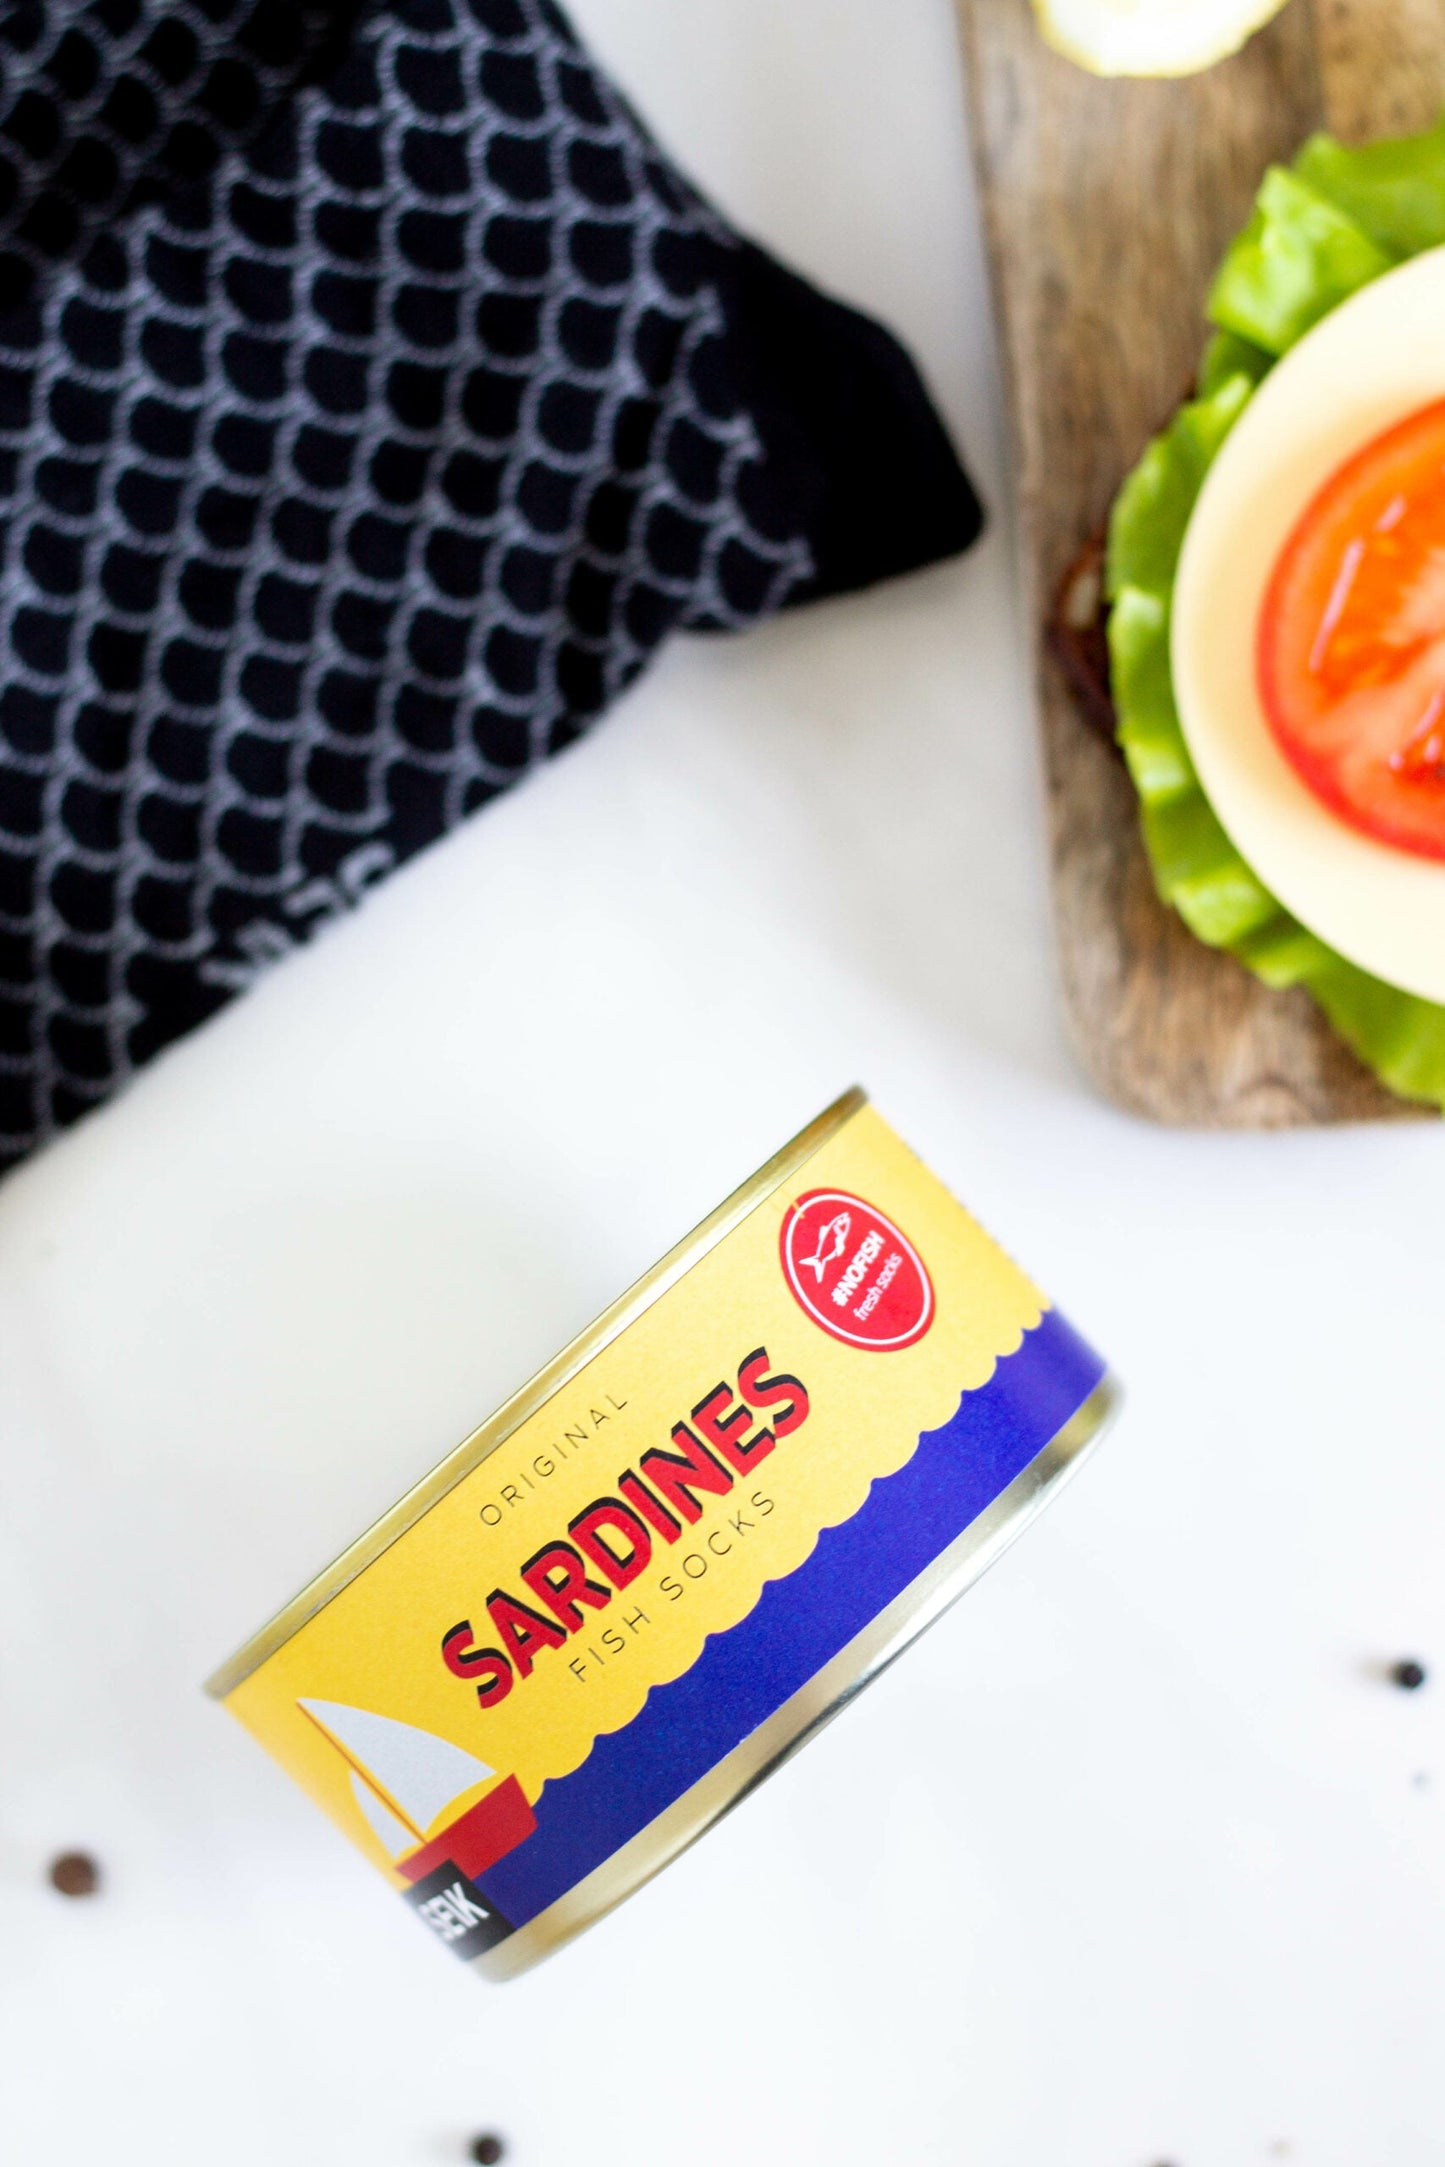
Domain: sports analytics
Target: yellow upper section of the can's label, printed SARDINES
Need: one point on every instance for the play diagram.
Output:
(748, 1410)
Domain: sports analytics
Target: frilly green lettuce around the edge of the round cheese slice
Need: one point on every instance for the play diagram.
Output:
(1320, 231)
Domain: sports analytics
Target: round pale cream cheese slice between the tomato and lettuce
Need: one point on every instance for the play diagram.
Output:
(1370, 363)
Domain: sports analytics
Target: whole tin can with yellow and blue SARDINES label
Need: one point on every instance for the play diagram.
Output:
(679, 1550)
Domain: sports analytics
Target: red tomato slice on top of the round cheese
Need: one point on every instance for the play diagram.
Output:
(1351, 653)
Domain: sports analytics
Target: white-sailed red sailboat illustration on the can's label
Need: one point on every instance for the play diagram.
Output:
(406, 1782)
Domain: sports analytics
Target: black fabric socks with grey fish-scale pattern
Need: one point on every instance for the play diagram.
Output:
(374, 400)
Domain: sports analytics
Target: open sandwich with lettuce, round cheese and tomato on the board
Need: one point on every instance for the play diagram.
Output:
(1271, 632)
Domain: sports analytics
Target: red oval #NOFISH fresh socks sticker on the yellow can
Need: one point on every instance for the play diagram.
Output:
(855, 1271)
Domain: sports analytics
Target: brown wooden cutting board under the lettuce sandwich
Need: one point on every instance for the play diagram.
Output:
(1108, 209)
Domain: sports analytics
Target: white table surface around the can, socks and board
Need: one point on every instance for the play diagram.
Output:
(1136, 1858)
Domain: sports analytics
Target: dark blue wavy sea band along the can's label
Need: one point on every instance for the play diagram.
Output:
(800, 1622)
